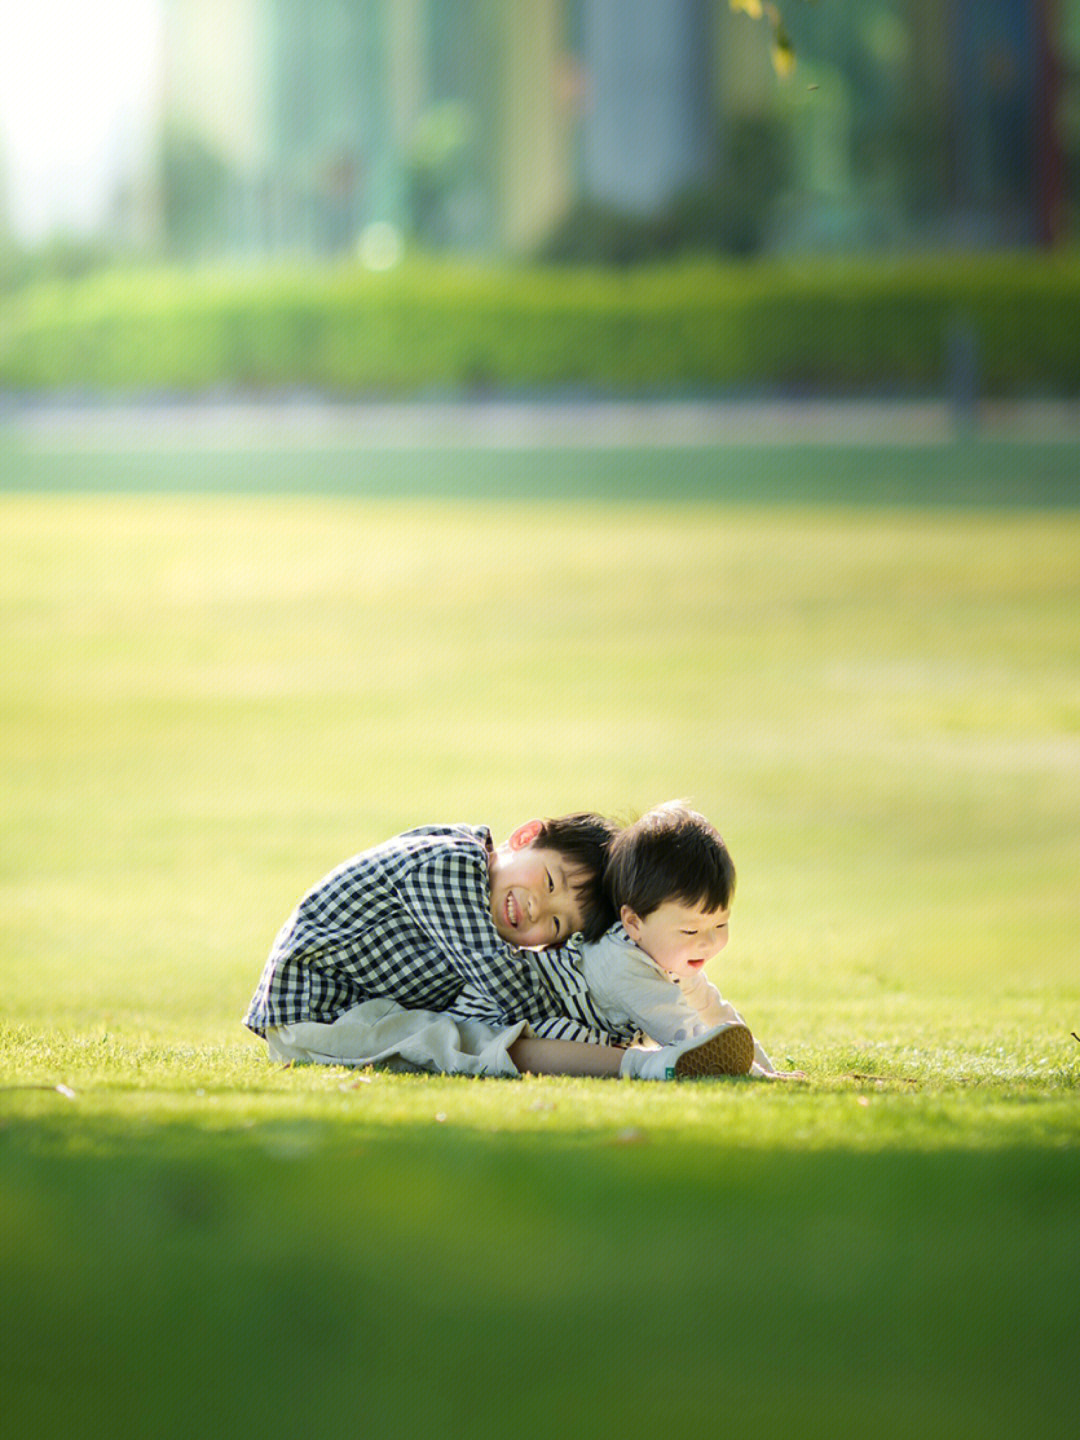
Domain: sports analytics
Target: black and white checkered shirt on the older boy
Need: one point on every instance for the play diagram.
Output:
(411, 919)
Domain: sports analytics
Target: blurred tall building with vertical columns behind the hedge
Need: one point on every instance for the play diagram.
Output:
(617, 129)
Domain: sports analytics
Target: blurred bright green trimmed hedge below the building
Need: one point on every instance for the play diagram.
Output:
(839, 326)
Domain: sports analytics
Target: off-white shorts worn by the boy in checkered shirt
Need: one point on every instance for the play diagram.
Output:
(382, 1033)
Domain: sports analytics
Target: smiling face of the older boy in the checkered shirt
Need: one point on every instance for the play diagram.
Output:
(534, 895)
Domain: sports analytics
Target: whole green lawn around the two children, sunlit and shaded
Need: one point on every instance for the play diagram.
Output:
(225, 673)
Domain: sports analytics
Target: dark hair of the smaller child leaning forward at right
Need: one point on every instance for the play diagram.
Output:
(670, 855)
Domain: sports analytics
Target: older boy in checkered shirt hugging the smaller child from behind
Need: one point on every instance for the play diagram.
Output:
(426, 953)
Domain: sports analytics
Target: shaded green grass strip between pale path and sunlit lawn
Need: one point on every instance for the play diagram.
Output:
(967, 474)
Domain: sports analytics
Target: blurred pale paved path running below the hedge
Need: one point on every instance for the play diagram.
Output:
(251, 426)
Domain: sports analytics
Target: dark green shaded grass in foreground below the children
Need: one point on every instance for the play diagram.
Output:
(315, 1279)
